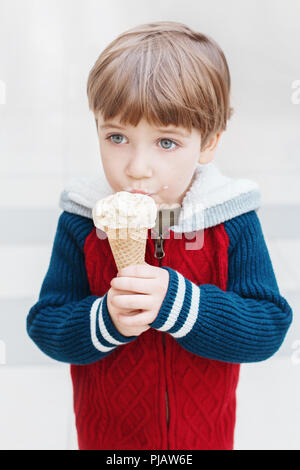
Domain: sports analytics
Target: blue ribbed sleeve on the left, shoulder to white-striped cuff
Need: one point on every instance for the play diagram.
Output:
(68, 323)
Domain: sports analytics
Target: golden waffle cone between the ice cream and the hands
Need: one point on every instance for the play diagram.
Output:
(128, 245)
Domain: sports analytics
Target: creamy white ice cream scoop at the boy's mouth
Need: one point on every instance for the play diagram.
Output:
(125, 210)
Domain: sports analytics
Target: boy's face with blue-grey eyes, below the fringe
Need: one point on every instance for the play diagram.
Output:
(159, 162)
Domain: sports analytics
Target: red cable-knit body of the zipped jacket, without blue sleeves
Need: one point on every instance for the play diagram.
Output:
(152, 393)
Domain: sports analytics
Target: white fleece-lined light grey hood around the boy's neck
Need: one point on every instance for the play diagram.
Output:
(212, 198)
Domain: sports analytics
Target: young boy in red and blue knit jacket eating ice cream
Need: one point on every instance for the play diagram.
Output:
(155, 349)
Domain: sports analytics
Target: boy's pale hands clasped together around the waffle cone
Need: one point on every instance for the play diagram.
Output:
(136, 296)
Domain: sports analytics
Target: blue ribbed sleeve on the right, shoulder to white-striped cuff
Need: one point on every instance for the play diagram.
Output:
(247, 322)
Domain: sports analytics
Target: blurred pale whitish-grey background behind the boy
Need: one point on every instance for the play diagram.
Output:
(48, 135)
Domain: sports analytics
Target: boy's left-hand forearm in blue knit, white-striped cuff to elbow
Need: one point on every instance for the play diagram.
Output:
(79, 332)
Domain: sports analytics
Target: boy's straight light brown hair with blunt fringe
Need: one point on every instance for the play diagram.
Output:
(166, 73)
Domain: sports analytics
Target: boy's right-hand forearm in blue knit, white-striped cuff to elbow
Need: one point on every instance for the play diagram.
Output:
(223, 325)
